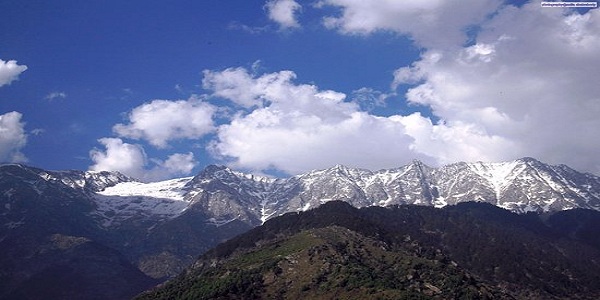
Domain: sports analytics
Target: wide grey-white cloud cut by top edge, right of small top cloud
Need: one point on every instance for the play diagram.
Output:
(429, 22)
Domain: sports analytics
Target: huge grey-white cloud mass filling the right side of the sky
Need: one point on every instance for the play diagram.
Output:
(530, 92)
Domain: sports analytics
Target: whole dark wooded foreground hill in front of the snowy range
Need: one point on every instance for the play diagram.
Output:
(336, 251)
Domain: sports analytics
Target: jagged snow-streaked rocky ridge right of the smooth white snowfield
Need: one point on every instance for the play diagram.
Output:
(521, 186)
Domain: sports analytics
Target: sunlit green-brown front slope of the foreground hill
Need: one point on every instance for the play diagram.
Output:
(332, 262)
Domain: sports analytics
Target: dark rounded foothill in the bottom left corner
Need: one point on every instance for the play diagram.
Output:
(68, 267)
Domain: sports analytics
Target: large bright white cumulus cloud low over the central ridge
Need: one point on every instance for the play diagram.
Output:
(297, 127)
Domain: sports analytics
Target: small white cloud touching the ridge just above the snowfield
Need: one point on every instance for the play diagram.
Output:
(131, 159)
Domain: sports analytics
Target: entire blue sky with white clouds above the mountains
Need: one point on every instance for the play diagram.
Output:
(159, 90)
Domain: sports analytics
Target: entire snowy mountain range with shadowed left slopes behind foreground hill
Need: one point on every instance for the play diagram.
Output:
(151, 231)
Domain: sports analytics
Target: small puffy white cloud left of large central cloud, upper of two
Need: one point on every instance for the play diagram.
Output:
(161, 121)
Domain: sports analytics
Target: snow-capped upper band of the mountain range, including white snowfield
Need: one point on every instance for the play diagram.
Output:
(224, 195)
